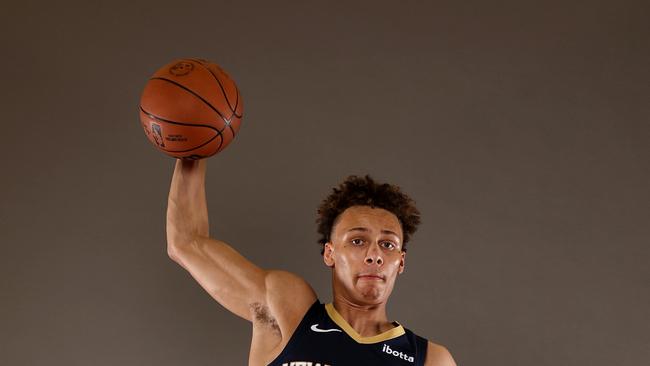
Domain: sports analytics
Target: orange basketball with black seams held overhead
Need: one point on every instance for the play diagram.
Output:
(190, 109)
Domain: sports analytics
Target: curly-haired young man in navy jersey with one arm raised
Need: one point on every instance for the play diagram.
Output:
(364, 228)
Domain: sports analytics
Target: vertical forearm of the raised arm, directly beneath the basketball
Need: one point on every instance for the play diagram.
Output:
(187, 212)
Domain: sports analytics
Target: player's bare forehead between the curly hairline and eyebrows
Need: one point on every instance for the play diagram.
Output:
(367, 217)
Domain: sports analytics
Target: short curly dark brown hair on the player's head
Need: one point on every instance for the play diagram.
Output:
(364, 191)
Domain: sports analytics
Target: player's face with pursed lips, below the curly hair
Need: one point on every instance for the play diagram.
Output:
(365, 253)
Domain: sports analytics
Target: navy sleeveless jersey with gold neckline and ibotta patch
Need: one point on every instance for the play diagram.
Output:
(324, 338)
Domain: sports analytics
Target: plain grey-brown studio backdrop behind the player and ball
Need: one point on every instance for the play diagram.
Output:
(520, 128)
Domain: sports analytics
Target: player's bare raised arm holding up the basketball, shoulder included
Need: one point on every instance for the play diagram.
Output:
(239, 285)
